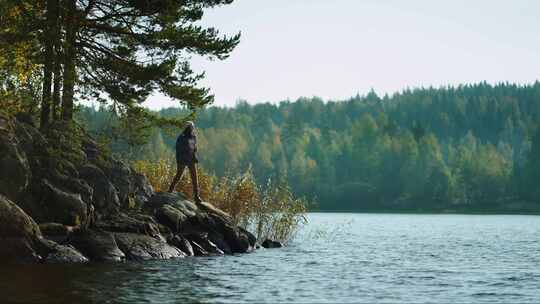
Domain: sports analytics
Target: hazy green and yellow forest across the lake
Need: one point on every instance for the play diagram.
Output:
(471, 148)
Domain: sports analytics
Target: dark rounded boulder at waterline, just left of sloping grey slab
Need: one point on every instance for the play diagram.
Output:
(97, 245)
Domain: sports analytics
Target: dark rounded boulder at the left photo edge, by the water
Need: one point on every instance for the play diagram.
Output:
(18, 233)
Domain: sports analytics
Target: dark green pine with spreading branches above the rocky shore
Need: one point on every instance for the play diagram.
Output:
(116, 51)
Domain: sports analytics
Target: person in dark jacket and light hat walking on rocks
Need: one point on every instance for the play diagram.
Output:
(186, 149)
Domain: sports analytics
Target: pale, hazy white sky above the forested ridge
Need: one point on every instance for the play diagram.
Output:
(336, 49)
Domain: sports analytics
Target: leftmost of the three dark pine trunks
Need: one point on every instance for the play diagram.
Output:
(47, 67)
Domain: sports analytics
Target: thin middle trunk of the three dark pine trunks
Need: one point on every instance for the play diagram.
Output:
(57, 63)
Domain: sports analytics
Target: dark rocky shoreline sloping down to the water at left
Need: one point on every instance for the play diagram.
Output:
(64, 200)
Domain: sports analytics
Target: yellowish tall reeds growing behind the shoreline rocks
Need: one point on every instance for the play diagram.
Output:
(271, 211)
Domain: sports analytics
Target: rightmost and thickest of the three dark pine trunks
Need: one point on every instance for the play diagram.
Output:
(69, 59)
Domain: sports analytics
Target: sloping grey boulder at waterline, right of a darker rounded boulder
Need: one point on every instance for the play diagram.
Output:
(140, 247)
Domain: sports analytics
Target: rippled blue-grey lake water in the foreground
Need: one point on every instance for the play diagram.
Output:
(335, 258)
